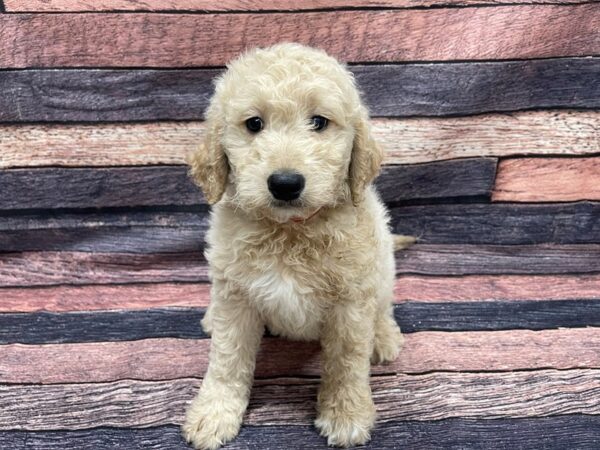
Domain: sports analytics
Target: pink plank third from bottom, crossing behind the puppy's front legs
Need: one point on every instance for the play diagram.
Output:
(424, 351)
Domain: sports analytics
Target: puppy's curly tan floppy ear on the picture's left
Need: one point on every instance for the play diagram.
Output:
(208, 164)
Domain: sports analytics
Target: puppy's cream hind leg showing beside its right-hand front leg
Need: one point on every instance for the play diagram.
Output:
(388, 338)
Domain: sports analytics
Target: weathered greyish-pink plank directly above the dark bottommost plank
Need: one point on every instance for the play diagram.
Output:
(432, 396)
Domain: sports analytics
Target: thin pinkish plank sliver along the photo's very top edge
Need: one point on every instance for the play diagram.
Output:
(243, 5)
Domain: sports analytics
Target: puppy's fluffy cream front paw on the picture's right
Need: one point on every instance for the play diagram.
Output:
(344, 429)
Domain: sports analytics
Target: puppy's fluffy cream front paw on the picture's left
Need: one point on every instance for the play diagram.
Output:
(209, 425)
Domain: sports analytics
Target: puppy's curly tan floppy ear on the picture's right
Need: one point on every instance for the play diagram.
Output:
(366, 158)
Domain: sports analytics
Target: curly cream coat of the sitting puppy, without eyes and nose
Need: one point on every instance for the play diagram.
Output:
(328, 277)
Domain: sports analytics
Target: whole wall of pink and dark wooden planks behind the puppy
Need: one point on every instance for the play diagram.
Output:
(489, 111)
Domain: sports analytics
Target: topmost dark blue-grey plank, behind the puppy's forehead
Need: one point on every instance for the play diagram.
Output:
(389, 90)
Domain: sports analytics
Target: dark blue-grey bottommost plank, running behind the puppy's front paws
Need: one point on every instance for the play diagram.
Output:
(556, 433)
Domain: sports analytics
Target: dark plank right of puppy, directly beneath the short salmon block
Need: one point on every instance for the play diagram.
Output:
(575, 223)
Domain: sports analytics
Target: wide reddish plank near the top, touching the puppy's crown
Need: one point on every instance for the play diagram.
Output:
(118, 40)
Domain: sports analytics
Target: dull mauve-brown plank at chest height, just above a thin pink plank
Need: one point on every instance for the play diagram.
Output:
(78, 268)
